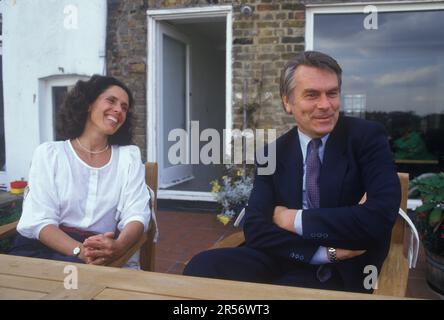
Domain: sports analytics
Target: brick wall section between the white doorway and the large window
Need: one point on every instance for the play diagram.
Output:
(262, 44)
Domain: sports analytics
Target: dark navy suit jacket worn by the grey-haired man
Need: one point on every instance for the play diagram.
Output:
(357, 159)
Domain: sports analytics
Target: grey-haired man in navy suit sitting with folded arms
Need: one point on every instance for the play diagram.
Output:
(304, 225)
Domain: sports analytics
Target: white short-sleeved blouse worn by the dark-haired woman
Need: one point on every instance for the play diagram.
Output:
(63, 189)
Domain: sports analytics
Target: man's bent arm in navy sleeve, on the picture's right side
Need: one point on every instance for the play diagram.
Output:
(361, 226)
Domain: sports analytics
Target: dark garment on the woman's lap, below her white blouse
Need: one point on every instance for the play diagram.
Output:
(26, 247)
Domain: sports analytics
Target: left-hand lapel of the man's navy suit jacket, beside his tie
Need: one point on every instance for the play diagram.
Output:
(290, 178)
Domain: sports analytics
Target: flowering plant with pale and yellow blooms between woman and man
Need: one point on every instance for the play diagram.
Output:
(232, 191)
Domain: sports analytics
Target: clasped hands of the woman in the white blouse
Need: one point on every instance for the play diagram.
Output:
(101, 249)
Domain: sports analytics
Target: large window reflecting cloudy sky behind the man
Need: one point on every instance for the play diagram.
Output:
(393, 74)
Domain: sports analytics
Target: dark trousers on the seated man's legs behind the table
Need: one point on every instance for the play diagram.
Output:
(247, 264)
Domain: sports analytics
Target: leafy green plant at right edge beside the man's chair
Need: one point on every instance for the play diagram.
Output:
(429, 218)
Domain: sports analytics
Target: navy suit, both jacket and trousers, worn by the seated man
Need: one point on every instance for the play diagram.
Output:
(357, 159)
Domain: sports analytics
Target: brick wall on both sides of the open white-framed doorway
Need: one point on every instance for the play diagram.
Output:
(262, 43)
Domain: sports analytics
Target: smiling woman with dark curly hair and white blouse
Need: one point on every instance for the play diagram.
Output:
(84, 189)
